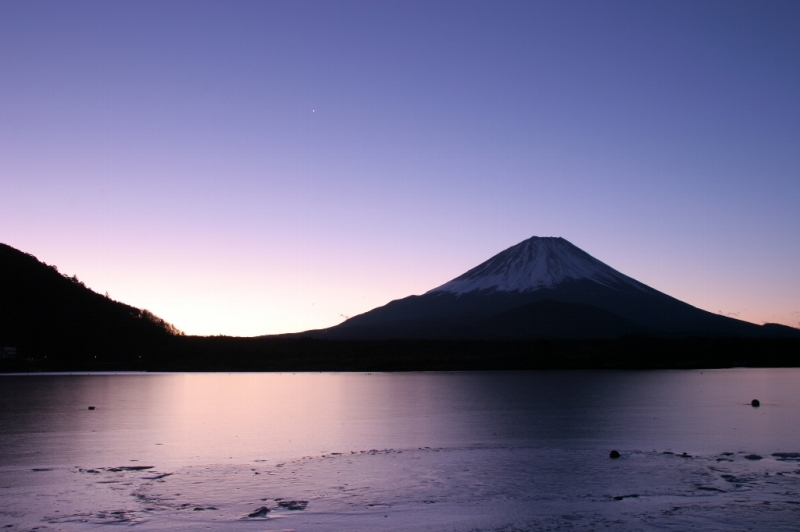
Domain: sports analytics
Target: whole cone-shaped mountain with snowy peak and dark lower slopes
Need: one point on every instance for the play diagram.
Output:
(543, 287)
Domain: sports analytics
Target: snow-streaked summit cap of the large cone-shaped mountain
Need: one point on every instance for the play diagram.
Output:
(539, 262)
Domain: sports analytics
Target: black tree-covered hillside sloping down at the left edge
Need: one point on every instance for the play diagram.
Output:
(46, 314)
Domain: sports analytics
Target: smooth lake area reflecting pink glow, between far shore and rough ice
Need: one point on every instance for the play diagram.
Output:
(179, 419)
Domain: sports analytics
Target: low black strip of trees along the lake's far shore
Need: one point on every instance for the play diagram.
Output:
(192, 353)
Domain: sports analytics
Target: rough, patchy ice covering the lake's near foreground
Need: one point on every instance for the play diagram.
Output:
(460, 489)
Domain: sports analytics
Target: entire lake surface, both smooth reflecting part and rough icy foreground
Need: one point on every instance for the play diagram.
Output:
(407, 451)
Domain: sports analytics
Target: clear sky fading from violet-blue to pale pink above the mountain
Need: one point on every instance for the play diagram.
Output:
(250, 168)
